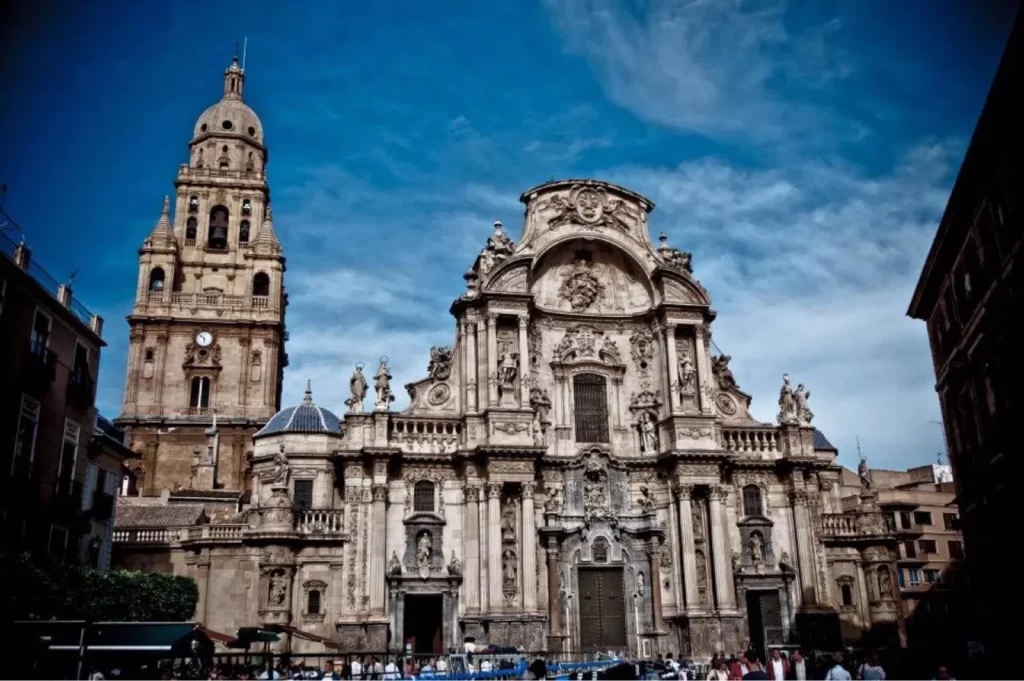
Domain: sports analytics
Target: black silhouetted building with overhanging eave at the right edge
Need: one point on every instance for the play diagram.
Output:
(970, 295)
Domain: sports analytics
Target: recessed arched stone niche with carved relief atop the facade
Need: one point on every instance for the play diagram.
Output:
(590, 277)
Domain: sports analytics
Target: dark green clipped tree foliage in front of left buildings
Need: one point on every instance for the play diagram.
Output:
(46, 591)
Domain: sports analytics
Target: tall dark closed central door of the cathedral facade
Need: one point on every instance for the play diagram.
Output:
(603, 610)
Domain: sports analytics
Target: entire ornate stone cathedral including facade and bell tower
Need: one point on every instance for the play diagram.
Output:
(577, 472)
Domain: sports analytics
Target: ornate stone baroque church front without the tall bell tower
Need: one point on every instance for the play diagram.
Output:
(577, 472)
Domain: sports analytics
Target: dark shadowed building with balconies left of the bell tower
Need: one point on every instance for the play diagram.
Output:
(61, 465)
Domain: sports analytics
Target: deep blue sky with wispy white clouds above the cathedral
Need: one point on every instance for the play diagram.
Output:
(803, 152)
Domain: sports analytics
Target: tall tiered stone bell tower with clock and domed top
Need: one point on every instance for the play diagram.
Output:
(206, 340)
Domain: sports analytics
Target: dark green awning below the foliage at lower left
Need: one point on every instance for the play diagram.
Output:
(178, 639)
